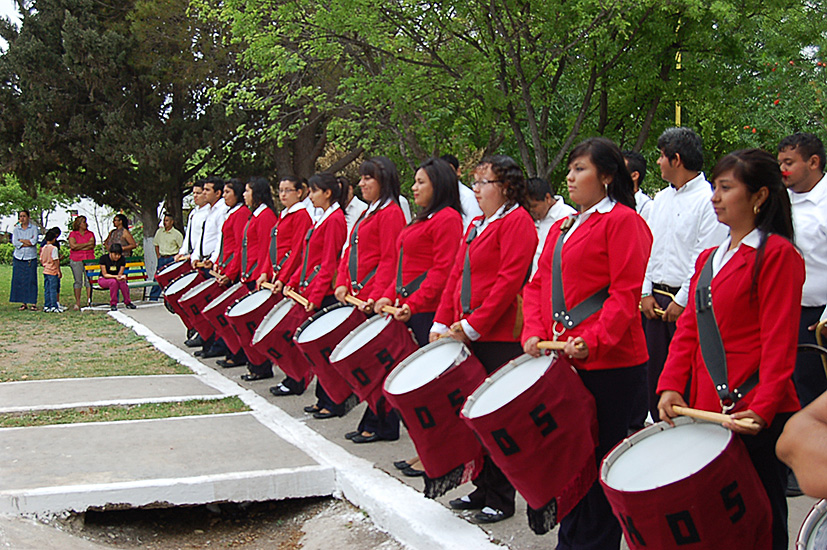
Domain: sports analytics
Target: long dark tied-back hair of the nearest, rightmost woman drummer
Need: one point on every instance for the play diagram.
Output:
(756, 169)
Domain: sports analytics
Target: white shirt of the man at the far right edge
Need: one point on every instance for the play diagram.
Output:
(810, 225)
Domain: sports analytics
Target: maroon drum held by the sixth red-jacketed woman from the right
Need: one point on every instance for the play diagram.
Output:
(274, 338)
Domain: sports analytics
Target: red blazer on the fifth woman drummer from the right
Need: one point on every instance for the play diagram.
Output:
(377, 240)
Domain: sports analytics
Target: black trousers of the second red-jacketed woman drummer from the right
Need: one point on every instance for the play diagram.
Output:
(591, 525)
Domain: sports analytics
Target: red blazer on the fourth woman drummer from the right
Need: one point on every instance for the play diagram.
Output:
(428, 245)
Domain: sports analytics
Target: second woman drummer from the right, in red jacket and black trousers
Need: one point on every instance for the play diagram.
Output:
(603, 250)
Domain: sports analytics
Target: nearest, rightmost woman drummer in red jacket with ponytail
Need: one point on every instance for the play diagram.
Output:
(756, 280)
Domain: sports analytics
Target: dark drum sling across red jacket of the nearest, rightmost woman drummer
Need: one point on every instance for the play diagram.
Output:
(712, 346)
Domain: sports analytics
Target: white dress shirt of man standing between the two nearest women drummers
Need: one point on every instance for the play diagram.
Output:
(683, 225)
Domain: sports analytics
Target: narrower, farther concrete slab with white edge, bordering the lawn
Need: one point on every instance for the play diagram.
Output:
(99, 392)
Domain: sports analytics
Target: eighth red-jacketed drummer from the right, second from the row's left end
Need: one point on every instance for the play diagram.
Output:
(255, 246)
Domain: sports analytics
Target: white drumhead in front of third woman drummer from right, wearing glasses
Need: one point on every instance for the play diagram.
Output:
(428, 363)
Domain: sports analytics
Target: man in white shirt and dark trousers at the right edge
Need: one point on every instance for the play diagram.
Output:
(801, 157)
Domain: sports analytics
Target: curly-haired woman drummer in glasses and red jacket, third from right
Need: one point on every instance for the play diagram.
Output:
(480, 303)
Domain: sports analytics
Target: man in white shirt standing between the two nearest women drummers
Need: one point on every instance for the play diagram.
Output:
(683, 225)
